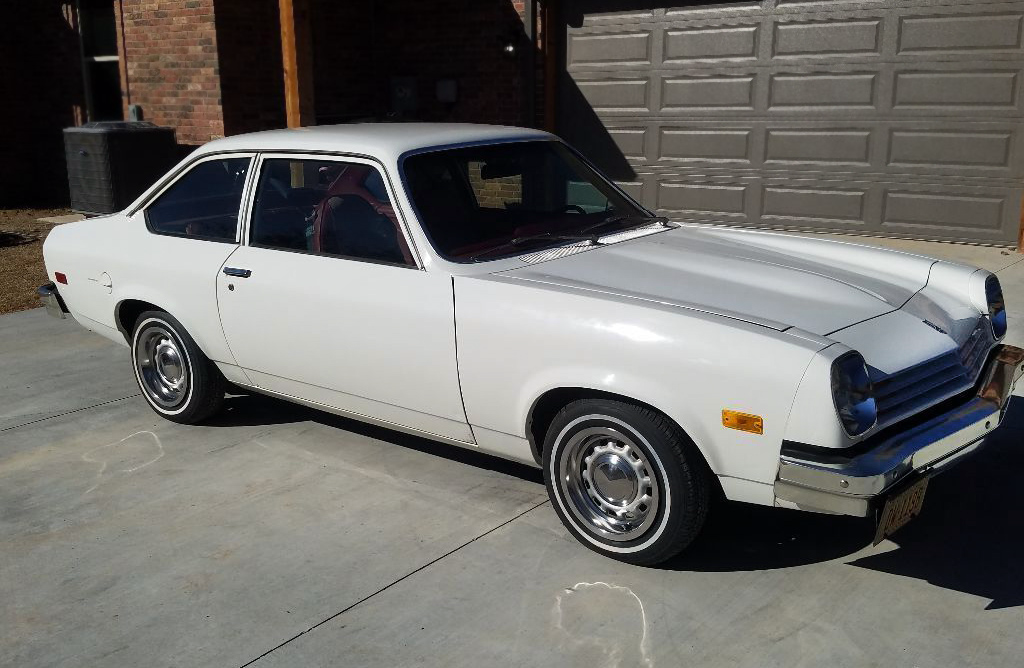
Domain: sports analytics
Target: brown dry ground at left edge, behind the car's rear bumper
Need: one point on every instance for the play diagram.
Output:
(22, 269)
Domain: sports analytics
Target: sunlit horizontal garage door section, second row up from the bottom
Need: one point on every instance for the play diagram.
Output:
(891, 149)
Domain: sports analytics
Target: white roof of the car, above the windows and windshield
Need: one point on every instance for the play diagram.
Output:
(383, 141)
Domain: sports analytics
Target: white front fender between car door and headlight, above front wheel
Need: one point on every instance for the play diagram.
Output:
(520, 340)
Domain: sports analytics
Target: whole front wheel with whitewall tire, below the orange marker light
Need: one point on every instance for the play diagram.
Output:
(603, 504)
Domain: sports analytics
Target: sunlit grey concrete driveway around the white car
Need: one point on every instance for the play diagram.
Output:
(280, 536)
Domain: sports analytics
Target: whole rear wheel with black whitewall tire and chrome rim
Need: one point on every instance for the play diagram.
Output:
(177, 380)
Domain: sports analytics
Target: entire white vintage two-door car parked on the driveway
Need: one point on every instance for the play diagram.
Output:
(487, 287)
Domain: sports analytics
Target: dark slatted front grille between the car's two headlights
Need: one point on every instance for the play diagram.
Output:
(928, 384)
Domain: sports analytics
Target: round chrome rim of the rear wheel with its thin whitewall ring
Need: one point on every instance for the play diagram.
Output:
(162, 366)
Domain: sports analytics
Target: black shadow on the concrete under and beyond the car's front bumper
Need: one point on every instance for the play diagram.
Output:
(969, 538)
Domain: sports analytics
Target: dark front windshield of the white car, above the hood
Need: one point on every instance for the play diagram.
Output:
(488, 202)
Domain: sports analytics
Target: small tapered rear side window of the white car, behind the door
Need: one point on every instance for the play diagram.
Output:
(204, 203)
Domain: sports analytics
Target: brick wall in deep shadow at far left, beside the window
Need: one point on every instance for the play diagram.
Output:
(44, 85)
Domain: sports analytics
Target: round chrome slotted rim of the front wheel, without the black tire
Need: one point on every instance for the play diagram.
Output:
(609, 483)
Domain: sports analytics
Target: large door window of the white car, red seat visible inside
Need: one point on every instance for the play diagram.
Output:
(327, 208)
